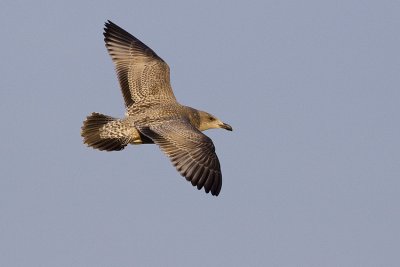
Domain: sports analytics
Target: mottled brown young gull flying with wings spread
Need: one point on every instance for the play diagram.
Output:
(153, 115)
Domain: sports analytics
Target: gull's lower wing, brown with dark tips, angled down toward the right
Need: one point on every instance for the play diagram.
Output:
(190, 151)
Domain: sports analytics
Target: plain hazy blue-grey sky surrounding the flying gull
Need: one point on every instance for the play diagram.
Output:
(311, 172)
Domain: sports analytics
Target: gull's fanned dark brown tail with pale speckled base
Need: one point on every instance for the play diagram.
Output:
(104, 133)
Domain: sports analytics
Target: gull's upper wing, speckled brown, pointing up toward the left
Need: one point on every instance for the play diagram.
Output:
(143, 76)
